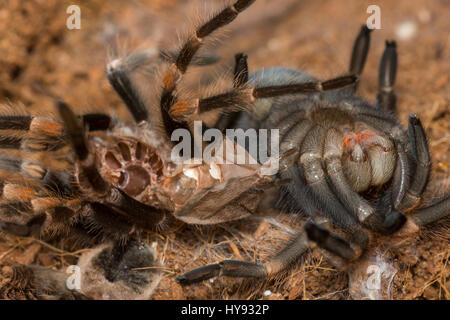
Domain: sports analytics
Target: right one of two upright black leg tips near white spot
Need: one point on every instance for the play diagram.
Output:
(386, 98)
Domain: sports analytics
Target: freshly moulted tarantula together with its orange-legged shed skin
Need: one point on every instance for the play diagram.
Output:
(334, 149)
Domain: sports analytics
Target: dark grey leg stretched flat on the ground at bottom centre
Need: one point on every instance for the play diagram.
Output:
(234, 268)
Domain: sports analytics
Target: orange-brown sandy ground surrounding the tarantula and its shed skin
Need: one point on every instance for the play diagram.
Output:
(41, 59)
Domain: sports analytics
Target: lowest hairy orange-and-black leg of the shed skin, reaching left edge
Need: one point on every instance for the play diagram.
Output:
(24, 217)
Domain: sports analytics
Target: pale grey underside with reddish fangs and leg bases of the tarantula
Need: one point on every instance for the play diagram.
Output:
(331, 141)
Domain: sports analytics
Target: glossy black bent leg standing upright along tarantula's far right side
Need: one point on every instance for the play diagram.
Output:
(422, 156)
